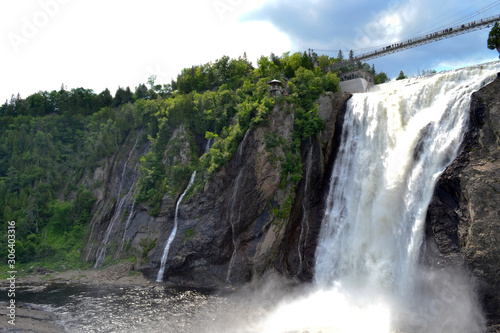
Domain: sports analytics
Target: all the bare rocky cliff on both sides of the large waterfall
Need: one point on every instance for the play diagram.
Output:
(245, 221)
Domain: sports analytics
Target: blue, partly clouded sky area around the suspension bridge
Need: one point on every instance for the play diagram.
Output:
(364, 24)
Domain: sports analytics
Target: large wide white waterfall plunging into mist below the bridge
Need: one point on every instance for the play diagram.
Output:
(395, 143)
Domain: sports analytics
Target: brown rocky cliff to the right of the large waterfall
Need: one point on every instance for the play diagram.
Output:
(463, 220)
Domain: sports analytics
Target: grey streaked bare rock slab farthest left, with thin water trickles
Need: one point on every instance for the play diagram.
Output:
(114, 184)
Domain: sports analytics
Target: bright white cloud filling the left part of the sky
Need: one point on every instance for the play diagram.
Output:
(98, 45)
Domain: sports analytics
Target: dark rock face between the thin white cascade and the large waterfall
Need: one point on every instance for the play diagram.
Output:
(230, 231)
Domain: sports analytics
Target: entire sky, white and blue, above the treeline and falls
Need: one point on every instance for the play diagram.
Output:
(109, 43)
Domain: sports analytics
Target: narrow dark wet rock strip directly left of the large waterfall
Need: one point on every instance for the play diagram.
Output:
(297, 252)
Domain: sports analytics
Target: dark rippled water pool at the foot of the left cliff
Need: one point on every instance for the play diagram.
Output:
(83, 308)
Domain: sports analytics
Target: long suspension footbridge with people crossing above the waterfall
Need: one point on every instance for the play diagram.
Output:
(435, 36)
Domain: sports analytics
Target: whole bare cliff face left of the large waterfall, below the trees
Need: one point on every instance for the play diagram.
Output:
(242, 223)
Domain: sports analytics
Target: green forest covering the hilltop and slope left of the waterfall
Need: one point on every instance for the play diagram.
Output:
(50, 141)
